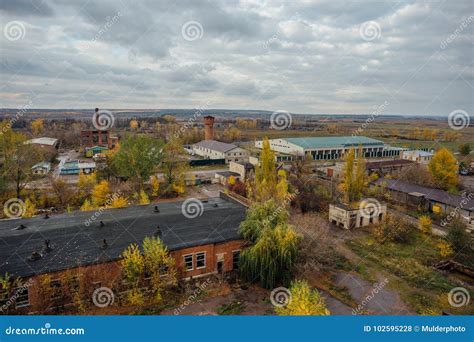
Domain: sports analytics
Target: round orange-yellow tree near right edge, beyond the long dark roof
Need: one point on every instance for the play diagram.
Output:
(444, 170)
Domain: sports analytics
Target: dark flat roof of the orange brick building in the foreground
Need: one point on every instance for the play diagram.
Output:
(75, 244)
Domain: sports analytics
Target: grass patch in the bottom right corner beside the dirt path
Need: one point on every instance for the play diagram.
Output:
(409, 268)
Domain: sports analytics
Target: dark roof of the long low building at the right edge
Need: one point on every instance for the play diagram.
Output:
(432, 194)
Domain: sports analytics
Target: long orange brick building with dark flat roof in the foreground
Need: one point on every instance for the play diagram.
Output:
(89, 245)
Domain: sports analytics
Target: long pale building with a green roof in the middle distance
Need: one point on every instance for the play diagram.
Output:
(327, 148)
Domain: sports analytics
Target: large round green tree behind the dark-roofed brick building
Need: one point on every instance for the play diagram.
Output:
(137, 158)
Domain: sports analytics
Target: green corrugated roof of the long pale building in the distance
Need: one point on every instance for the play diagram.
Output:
(333, 142)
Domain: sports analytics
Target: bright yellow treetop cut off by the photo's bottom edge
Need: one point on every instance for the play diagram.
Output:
(304, 301)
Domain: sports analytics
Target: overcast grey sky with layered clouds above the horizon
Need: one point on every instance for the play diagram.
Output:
(316, 56)
